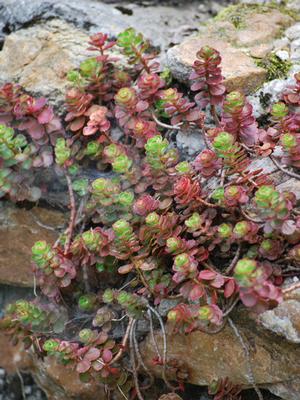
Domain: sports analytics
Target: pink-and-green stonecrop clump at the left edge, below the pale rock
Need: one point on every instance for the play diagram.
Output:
(28, 131)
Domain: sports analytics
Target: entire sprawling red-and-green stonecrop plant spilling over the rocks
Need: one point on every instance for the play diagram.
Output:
(201, 235)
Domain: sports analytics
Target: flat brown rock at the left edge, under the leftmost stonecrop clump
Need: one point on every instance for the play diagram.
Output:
(19, 230)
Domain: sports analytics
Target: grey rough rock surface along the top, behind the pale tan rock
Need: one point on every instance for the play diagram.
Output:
(163, 24)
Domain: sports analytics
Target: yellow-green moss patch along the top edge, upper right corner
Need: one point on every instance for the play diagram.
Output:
(238, 14)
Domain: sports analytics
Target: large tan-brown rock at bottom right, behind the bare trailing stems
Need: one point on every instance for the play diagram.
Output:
(212, 356)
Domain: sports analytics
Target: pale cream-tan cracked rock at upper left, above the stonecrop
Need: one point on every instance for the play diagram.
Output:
(38, 58)
